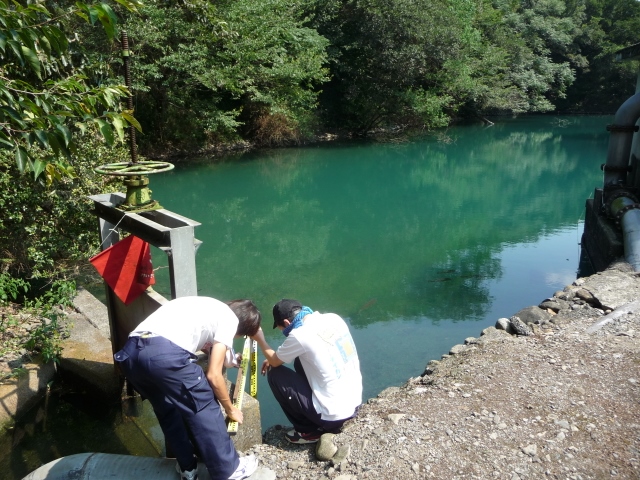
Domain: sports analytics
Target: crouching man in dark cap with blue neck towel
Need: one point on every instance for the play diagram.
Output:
(325, 387)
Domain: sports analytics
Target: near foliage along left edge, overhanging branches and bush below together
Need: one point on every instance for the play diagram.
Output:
(55, 114)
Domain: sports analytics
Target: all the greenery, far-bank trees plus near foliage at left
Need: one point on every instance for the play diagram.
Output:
(269, 72)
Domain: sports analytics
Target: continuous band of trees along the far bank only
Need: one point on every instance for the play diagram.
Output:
(277, 71)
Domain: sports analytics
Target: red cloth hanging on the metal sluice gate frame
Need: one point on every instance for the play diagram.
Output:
(126, 267)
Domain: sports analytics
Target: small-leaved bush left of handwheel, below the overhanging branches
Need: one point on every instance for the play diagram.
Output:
(44, 231)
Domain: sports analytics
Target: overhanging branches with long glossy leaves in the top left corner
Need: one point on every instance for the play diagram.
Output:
(45, 97)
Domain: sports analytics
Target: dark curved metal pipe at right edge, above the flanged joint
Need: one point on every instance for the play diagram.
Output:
(620, 140)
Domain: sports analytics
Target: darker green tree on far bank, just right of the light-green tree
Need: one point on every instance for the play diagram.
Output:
(387, 57)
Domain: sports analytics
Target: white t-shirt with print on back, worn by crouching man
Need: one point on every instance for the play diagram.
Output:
(330, 361)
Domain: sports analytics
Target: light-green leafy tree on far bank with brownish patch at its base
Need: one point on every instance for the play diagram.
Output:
(205, 74)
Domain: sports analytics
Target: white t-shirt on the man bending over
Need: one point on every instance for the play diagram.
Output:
(192, 322)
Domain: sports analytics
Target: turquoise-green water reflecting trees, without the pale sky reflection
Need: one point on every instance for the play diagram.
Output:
(371, 231)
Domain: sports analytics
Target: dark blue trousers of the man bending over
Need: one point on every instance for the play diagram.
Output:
(183, 401)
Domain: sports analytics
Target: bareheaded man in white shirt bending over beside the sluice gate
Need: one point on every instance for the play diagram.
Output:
(159, 359)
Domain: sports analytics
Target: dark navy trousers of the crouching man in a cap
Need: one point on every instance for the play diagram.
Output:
(293, 392)
